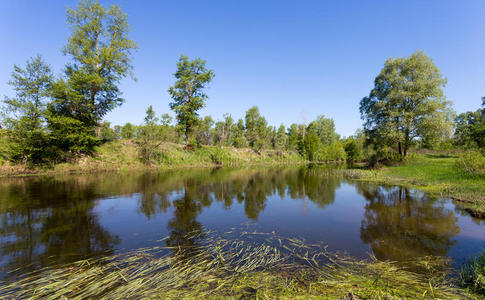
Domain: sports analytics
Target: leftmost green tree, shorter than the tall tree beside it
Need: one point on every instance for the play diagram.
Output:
(25, 113)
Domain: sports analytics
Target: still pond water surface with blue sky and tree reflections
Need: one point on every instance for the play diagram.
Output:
(55, 220)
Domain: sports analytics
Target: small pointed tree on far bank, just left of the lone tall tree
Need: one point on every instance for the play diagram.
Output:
(149, 137)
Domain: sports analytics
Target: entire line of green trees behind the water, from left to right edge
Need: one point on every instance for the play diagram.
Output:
(55, 119)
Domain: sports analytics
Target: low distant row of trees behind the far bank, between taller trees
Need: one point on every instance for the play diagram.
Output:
(316, 141)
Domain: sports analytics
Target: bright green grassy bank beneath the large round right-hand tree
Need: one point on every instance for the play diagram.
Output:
(432, 173)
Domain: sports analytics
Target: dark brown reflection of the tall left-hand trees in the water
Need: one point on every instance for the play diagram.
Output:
(45, 220)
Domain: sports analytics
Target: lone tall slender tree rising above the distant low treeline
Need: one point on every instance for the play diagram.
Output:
(192, 77)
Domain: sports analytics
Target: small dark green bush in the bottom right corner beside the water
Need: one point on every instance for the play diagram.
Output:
(472, 274)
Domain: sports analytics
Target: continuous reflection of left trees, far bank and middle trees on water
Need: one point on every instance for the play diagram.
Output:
(45, 220)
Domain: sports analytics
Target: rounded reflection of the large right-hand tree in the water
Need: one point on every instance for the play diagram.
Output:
(400, 224)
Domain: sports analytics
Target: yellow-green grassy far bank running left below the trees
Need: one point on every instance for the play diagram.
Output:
(123, 155)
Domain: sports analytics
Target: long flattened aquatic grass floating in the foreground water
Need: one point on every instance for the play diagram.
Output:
(261, 265)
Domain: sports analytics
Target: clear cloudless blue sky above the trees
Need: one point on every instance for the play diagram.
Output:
(293, 59)
